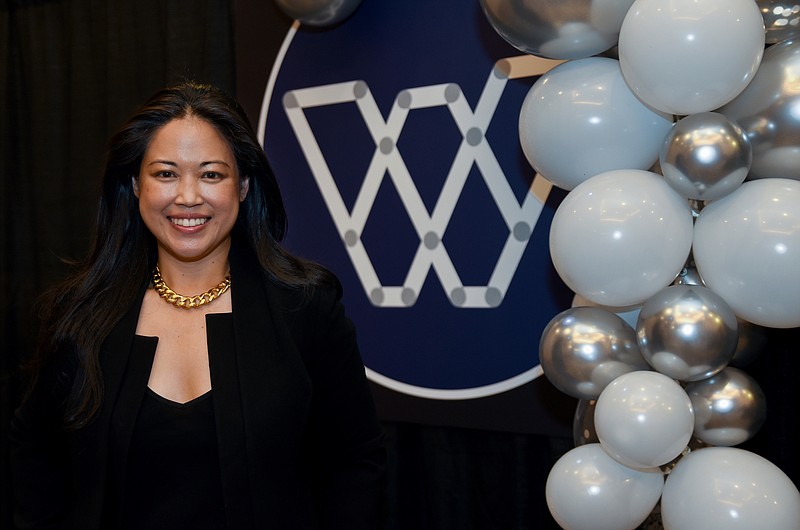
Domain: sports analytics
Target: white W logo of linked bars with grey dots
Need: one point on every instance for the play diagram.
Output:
(387, 161)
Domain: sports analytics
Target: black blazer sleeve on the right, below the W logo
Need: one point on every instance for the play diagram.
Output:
(345, 429)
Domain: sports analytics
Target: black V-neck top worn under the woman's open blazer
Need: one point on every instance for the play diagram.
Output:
(172, 477)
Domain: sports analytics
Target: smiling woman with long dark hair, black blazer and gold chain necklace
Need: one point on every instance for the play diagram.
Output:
(245, 406)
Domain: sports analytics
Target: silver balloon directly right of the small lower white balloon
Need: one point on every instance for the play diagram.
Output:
(729, 407)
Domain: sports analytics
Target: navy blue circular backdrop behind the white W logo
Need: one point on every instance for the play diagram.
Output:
(384, 49)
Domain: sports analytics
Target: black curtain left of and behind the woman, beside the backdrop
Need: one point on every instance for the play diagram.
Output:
(70, 73)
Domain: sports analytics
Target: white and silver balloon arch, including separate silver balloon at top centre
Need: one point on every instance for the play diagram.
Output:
(673, 126)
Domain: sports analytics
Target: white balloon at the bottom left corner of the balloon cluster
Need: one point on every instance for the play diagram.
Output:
(587, 489)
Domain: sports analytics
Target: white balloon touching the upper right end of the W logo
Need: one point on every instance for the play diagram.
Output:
(580, 119)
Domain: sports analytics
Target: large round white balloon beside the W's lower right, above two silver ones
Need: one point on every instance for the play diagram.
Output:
(620, 237)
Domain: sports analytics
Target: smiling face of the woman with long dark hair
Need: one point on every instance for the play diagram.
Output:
(189, 190)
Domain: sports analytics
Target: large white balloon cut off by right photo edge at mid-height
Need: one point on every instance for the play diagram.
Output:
(747, 249)
